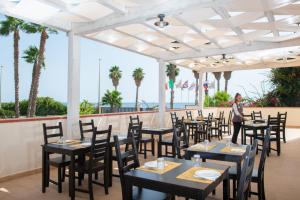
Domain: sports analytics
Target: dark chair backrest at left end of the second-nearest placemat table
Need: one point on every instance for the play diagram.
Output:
(180, 138)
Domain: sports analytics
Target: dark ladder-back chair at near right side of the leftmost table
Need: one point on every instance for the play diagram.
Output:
(98, 161)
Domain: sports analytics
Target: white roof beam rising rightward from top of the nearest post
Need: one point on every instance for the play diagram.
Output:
(140, 14)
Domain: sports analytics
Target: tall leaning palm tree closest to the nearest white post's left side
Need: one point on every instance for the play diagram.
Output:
(44, 31)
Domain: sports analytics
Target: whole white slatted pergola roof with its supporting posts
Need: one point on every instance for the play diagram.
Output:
(202, 35)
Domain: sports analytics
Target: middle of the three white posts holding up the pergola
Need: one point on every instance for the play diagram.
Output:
(162, 92)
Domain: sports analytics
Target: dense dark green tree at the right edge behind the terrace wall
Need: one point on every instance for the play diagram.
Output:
(286, 83)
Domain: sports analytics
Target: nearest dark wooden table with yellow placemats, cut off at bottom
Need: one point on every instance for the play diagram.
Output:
(168, 183)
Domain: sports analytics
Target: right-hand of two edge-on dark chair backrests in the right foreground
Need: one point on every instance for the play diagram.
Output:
(263, 156)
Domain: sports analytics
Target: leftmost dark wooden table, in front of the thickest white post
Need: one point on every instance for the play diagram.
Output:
(70, 150)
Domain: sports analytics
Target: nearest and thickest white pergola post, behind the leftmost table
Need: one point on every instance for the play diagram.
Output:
(73, 85)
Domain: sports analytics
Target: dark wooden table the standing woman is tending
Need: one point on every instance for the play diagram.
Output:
(253, 125)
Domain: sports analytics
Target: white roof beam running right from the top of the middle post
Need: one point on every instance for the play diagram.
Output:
(254, 46)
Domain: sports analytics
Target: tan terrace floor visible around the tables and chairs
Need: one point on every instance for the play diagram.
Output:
(281, 178)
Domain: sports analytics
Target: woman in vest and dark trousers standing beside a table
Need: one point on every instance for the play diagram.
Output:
(237, 119)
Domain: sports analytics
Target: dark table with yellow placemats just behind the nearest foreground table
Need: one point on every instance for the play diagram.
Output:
(217, 154)
